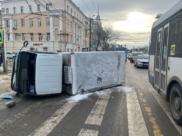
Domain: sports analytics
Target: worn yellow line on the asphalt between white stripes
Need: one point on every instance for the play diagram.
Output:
(156, 129)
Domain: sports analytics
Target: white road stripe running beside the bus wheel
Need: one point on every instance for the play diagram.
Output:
(165, 106)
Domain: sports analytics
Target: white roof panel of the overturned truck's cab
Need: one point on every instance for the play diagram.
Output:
(48, 74)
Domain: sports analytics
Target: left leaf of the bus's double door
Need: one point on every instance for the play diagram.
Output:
(158, 58)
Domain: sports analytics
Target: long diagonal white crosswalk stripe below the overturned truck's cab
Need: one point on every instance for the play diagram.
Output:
(52, 122)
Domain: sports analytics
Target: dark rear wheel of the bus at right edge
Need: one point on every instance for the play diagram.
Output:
(176, 104)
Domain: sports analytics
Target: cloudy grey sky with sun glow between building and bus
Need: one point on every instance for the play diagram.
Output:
(131, 18)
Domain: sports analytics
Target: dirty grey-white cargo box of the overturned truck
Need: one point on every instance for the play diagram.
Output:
(90, 71)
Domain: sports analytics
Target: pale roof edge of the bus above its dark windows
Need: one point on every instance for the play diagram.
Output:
(177, 7)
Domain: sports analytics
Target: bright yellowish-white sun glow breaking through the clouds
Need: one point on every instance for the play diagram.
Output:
(136, 22)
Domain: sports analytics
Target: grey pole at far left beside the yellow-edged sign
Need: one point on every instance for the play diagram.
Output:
(2, 36)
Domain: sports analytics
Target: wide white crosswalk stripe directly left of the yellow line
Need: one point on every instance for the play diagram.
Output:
(136, 123)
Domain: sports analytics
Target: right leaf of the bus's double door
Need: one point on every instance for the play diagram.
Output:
(164, 59)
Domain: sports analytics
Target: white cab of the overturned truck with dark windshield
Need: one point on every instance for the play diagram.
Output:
(37, 73)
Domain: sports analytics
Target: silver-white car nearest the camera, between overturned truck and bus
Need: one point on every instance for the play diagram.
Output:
(142, 61)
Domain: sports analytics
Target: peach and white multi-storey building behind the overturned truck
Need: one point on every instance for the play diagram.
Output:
(53, 26)
